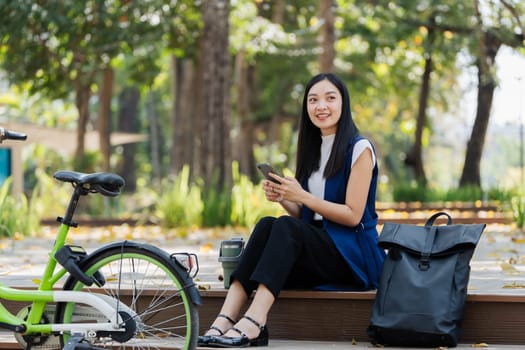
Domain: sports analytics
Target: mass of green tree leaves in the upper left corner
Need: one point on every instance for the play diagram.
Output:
(54, 44)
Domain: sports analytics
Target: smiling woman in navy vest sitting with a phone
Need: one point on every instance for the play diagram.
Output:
(327, 240)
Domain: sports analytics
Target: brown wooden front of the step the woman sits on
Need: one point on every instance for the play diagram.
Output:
(343, 316)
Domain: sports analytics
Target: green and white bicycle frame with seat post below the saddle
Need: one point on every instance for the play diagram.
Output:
(45, 294)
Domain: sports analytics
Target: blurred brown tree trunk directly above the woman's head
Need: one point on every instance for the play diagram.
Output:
(327, 36)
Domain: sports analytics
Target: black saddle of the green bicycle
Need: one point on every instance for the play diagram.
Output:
(107, 184)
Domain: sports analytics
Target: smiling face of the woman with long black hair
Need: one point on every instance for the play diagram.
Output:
(324, 104)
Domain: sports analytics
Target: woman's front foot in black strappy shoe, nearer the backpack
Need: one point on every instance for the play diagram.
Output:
(246, 332)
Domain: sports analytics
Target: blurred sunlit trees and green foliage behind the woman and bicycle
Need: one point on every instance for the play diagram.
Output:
(211, 112)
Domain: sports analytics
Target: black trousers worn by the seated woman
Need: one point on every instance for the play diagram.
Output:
(287, 253)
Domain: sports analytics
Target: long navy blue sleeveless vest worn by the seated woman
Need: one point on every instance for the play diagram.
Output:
(358, 245)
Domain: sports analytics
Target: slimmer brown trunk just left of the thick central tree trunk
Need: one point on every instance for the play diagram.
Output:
(183, 114)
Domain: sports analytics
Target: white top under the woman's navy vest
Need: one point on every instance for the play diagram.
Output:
(316, 182)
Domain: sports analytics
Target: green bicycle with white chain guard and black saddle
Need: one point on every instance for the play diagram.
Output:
(123, 295)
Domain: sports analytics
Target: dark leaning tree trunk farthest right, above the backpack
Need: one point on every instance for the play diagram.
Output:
(488, 49)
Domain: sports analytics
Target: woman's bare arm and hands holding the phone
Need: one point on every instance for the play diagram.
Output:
(349, 213)
